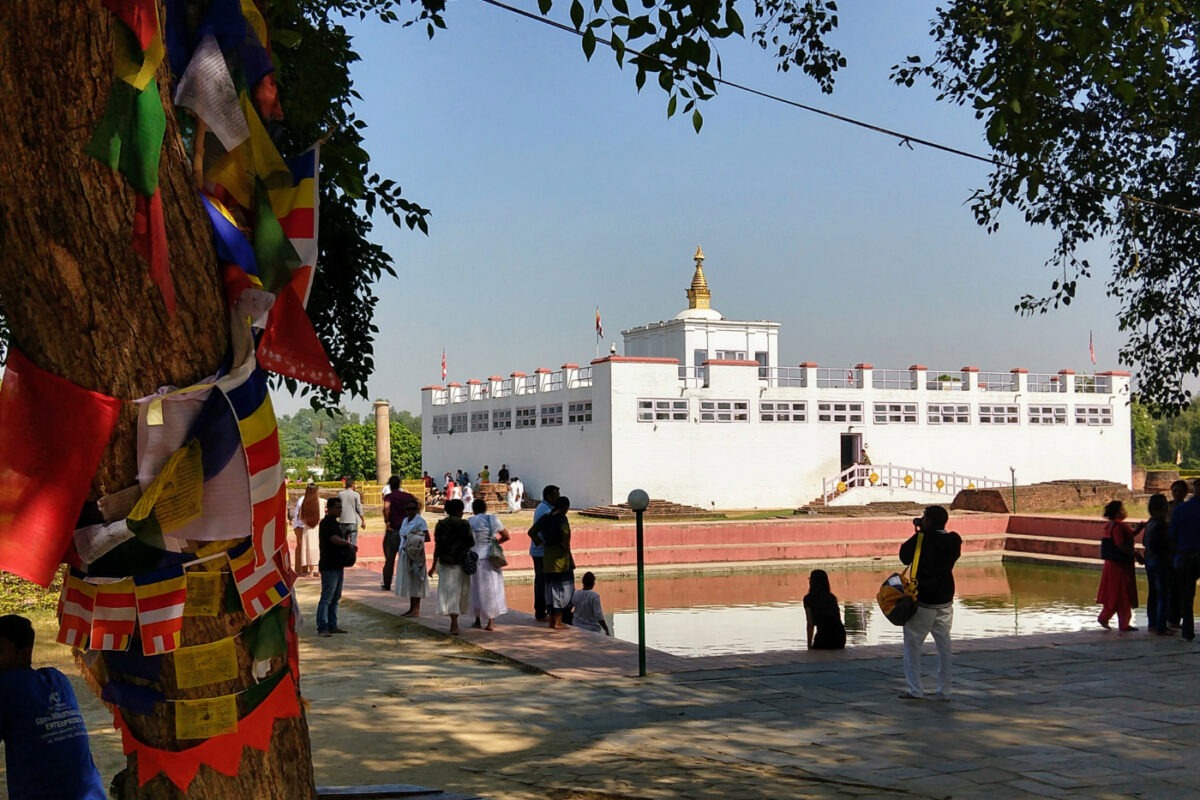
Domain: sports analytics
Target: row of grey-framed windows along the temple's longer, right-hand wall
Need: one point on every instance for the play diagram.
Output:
(716, 411)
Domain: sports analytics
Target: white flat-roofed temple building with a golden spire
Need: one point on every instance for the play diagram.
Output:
(699, 411)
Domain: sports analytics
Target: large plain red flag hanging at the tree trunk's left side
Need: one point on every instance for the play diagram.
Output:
(53, 435)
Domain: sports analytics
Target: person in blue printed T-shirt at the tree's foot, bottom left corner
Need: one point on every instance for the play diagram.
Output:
(47, 756)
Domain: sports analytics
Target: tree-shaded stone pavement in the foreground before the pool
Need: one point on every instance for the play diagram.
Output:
(529, 714)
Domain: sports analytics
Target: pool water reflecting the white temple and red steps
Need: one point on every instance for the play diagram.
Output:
(694, 616)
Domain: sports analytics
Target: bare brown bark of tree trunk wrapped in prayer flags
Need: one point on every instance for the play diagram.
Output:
(80, 304)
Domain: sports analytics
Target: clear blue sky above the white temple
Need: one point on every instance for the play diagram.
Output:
(556, 188)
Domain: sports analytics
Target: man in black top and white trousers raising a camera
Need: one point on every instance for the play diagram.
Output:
(935, 599)
